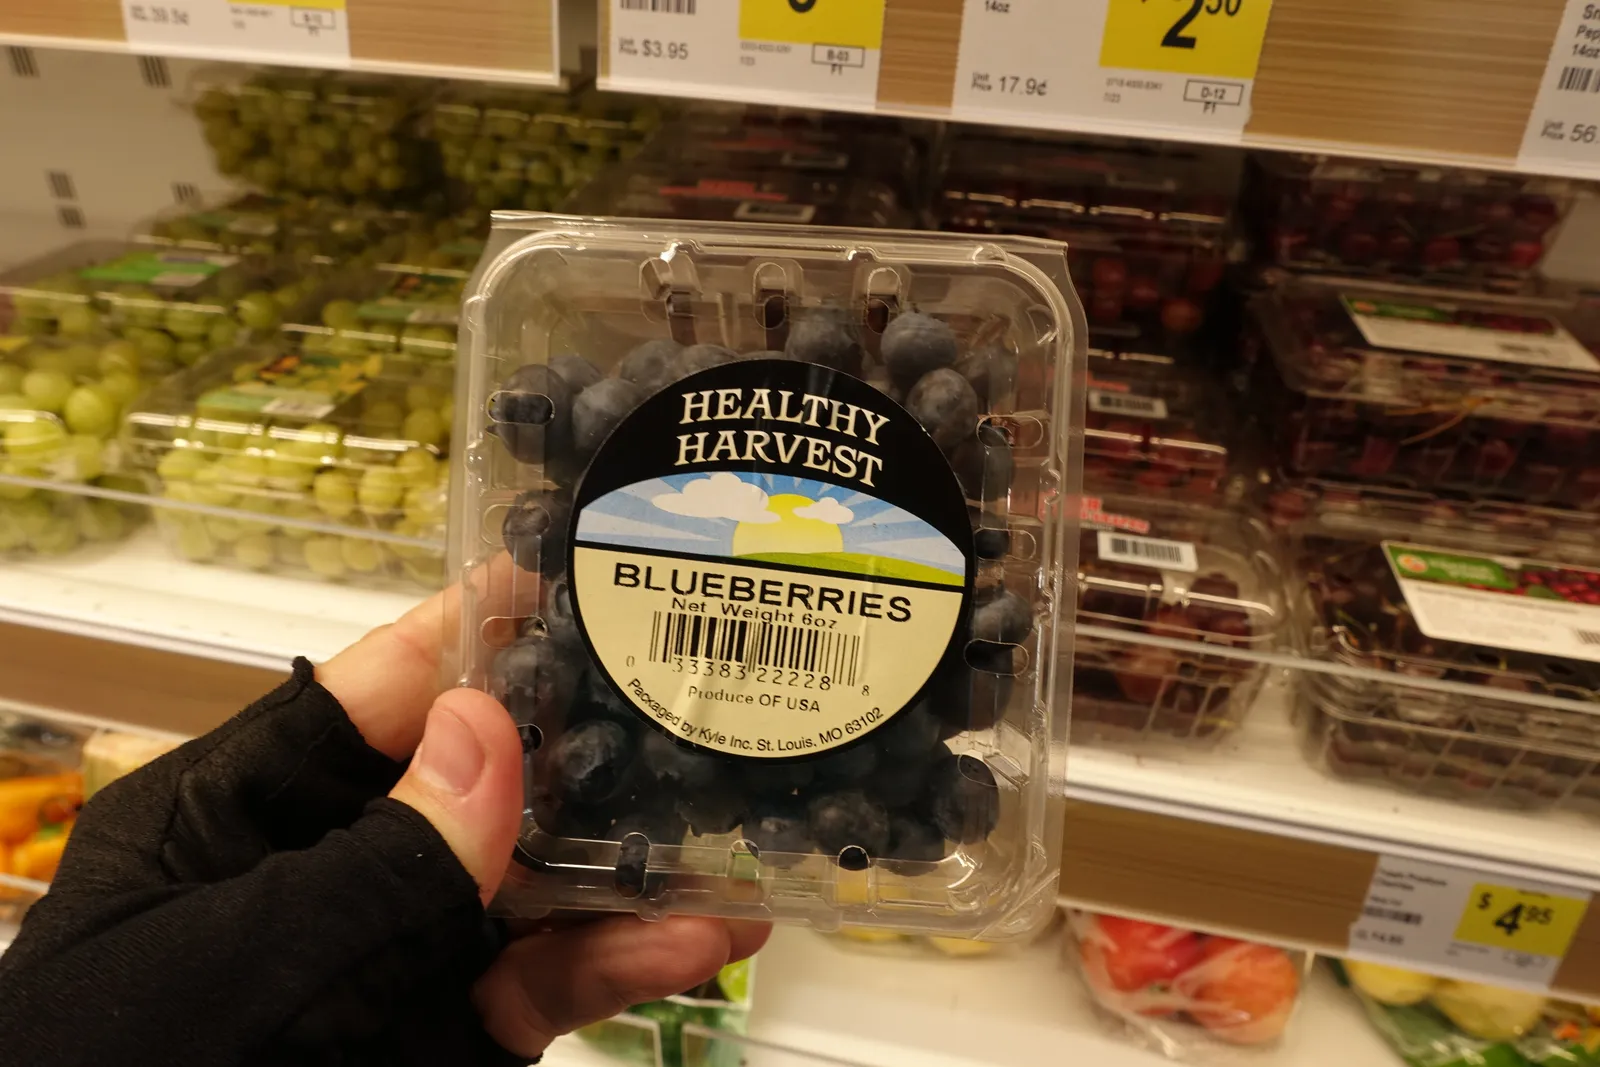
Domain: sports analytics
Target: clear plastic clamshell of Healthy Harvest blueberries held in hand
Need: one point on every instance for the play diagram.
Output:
(761, 541)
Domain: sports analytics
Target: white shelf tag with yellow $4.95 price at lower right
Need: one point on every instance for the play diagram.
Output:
(1465, 924)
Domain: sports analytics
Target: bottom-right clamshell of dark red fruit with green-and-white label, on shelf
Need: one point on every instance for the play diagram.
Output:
(1436, 604)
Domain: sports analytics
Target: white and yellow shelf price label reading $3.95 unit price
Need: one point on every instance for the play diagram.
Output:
(782, 52)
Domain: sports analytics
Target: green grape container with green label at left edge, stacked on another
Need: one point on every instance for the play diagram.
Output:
(172, 305)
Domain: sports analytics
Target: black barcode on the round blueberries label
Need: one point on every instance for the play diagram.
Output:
(748, 644)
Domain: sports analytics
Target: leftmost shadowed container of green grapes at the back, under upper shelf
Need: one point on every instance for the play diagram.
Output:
(314, 134)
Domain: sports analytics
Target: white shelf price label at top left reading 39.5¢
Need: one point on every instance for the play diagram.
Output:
(286, 31)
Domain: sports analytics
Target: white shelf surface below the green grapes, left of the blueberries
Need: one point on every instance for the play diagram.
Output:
(140, 594)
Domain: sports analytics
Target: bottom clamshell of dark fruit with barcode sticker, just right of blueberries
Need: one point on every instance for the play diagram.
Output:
(1209, 578)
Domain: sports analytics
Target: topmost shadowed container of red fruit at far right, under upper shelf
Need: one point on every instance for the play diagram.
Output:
(1422, 222)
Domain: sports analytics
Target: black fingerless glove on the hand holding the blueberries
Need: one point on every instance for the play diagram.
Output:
(254, 898)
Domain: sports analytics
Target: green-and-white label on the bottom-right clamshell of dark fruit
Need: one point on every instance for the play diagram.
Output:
(1519, 605)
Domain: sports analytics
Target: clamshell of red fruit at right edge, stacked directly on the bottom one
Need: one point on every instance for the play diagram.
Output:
(1434, 390)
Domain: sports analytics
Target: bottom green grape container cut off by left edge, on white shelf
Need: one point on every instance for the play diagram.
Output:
(60, 404)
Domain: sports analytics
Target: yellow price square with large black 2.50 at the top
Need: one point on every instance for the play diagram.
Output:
(1218, 39)
